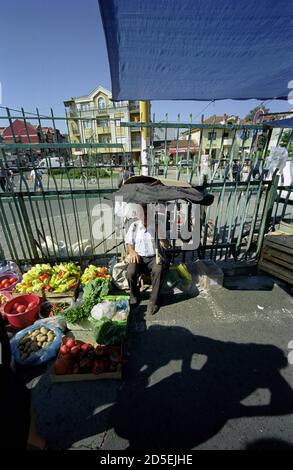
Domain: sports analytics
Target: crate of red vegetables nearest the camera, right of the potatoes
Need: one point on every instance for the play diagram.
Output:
(78, 357)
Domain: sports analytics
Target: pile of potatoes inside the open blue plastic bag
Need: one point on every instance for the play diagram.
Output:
(34, 341)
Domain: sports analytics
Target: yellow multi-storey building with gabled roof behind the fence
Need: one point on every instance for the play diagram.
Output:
(99, 121)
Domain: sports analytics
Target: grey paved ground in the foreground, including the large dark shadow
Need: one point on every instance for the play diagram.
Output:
(209, 372)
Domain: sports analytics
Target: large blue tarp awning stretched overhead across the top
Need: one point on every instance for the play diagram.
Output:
(199, 49)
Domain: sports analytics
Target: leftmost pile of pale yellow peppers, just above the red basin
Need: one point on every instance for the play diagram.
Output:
(35, 279)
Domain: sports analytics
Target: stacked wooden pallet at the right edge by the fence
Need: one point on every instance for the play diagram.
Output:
(277, 256)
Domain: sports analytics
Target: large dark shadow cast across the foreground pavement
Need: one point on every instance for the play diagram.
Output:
(180, 389)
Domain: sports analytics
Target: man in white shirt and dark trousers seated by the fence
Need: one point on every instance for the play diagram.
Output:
(142, 256)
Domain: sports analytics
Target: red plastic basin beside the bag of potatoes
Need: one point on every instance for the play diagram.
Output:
(22, 320)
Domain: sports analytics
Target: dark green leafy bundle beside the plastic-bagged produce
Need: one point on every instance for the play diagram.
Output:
(93, 293)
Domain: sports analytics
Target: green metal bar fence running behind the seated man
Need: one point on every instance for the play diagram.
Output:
(52, 215)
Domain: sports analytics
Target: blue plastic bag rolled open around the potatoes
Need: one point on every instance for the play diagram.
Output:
(42, 355)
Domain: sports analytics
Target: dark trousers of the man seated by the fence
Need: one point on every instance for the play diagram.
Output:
(146, 265)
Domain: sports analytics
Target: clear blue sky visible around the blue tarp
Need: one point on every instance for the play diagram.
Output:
(53, 49)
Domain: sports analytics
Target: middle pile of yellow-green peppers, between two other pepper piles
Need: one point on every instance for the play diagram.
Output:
(64, 278)
